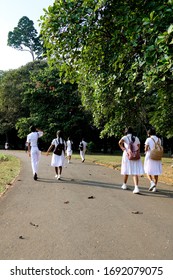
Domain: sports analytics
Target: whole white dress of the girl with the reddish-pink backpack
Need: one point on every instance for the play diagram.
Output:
(130, 167)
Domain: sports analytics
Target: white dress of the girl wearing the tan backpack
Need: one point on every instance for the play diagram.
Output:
(152, 167)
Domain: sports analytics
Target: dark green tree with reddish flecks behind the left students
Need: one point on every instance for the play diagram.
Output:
(53, 106)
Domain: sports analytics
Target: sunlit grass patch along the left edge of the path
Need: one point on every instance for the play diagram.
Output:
(9, 169)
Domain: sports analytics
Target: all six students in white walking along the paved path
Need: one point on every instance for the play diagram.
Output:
(152, 168)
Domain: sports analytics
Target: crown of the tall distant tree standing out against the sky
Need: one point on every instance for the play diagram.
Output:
(25, 37)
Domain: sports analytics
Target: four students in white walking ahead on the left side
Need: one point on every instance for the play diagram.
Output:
(58, 158)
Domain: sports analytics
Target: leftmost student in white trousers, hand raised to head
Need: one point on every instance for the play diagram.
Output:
(33, 150)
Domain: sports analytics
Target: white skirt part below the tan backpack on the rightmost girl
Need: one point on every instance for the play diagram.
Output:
(152, 167)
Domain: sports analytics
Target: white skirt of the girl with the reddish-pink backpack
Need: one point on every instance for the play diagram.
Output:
(131, 167)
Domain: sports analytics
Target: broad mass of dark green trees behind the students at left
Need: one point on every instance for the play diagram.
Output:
(34, 94)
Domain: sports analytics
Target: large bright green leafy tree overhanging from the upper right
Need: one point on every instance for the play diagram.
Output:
(120, 53)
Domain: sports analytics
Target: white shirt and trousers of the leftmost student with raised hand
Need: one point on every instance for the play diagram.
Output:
(32, 138)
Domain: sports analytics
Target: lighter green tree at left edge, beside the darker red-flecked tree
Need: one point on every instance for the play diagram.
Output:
(12, 88)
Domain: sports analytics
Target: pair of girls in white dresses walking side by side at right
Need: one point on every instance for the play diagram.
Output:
(152, 168)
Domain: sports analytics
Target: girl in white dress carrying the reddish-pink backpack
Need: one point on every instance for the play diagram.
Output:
(130, 167)
